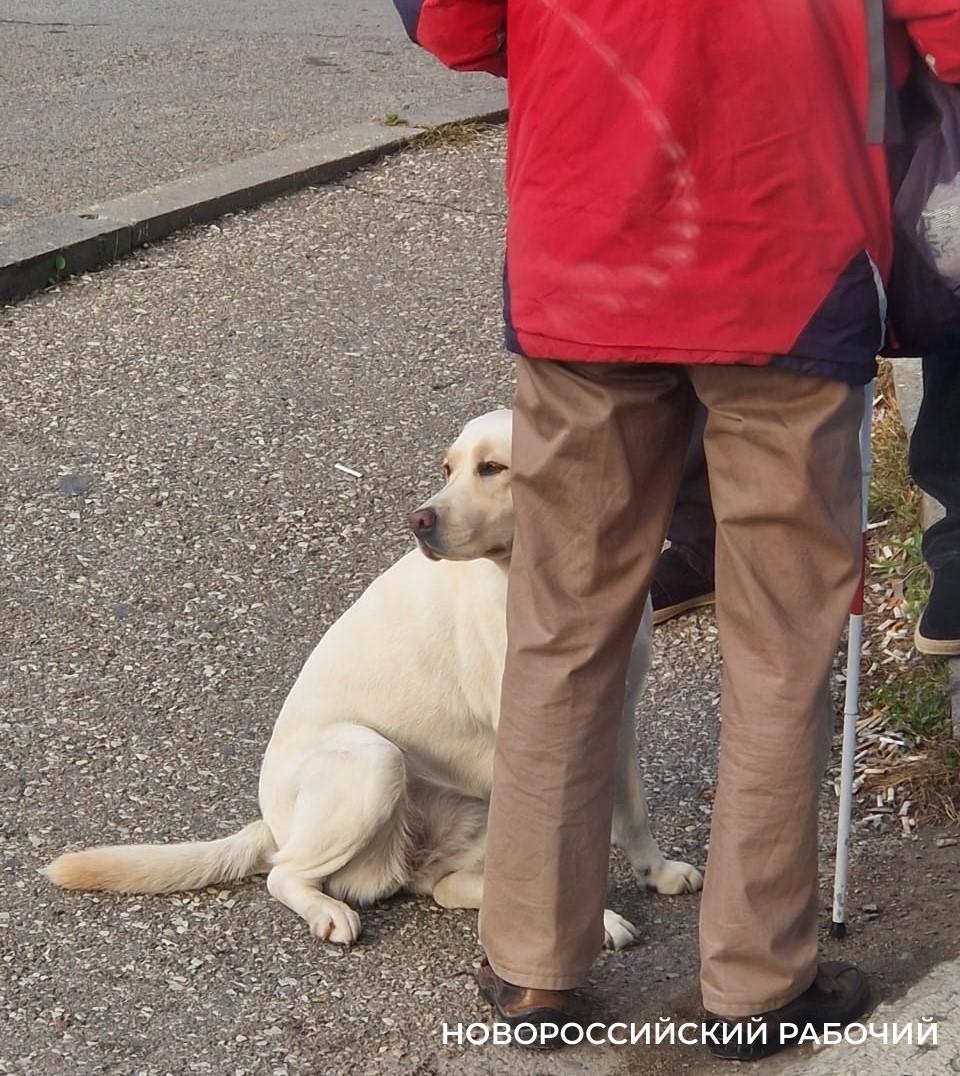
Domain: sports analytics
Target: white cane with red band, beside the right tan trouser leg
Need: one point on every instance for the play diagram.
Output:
(852, 702)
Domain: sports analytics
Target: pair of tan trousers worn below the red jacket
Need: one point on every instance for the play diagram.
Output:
(598, 451)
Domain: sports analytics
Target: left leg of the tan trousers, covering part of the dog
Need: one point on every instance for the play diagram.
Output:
(597, 457)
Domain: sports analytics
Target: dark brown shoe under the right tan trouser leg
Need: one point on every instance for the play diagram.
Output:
(839, 996)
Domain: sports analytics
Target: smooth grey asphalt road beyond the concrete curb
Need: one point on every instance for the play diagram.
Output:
(101, 98)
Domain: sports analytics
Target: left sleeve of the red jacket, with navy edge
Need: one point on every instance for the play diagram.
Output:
(464, 35)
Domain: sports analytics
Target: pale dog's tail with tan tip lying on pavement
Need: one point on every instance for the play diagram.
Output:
(166, 869)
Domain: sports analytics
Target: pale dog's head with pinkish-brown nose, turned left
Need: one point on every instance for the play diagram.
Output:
(473, 516)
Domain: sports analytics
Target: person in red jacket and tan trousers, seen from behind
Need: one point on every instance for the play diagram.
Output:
(699, 213)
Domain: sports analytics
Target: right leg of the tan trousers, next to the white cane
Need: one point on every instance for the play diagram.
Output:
(785, 475)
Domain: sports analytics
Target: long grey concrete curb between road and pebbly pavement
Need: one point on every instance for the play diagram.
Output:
(59, 247)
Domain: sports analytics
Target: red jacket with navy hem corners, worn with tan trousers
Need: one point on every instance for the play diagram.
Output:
(694, 180)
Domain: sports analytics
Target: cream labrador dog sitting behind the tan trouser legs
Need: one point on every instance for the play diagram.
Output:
(379, 771)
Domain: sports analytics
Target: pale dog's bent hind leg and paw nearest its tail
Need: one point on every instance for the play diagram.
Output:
(349, 794)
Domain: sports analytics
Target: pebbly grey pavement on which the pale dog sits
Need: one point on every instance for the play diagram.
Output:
(177, 537)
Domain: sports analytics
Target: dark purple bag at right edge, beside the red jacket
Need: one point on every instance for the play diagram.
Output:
(924, 291)
